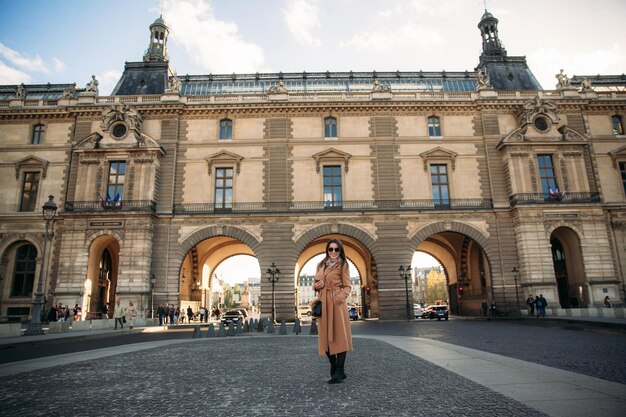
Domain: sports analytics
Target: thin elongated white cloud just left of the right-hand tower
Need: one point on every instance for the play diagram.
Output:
(384, 40)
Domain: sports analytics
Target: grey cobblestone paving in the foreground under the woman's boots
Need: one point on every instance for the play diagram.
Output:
(251, 376)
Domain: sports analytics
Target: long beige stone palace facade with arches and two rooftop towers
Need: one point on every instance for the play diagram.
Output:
(516, 190)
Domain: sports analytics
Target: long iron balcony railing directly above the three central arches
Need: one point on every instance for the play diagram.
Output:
(344, 206)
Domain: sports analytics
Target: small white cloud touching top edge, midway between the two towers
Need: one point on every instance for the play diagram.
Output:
(302, 17)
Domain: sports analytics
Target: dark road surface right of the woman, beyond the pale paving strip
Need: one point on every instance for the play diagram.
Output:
(578, 348)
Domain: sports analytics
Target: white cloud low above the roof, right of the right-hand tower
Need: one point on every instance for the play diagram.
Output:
(545, 63)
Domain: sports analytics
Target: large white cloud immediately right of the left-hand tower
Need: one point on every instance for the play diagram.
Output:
(212, 44)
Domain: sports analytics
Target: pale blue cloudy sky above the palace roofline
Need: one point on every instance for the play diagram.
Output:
(66, 41)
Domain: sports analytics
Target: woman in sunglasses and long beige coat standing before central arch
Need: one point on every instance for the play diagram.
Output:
(332, 281)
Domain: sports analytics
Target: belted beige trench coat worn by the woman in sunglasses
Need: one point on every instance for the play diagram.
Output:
(334, 333)
